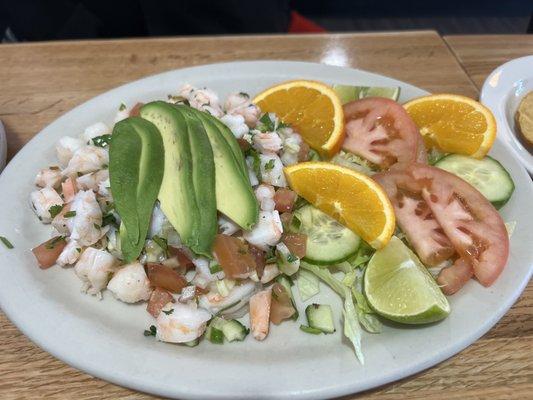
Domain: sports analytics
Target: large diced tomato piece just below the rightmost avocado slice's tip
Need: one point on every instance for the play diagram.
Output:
(234, 256)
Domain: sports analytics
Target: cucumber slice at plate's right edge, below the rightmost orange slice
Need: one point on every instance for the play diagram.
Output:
(486, 175)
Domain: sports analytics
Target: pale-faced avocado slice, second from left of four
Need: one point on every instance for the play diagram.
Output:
(177, 196)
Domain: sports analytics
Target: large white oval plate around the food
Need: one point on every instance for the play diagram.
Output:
(105, 338)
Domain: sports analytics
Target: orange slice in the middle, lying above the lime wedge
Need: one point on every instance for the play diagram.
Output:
(353, 199)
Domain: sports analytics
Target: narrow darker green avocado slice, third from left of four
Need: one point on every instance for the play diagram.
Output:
(203, 178)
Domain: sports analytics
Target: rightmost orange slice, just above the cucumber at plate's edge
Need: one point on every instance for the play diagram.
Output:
(454, 124)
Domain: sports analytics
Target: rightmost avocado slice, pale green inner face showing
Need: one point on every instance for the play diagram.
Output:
(234, 195)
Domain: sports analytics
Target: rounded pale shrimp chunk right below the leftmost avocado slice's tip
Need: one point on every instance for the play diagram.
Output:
(130, 284)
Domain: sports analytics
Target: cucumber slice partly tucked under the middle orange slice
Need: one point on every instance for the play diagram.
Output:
(328, 242)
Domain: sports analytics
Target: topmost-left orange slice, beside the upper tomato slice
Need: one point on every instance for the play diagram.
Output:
(312, 108)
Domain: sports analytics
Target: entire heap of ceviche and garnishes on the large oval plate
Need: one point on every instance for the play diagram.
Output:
(227, 216)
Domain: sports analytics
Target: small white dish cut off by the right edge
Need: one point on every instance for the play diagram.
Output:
(502, 92)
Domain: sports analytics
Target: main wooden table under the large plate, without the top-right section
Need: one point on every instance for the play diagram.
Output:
(43, 80)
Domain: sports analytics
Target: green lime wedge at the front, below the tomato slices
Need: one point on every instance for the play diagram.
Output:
(399, 287)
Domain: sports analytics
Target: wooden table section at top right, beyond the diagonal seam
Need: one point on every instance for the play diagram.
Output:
(481, 54)
